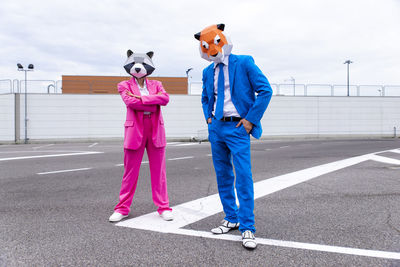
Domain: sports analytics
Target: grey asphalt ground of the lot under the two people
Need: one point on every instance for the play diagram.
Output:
(54, 209)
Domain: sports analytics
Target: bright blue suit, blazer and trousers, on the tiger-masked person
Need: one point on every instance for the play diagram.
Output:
(230, 144)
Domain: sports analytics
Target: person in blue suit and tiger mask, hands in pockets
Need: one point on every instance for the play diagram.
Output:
(235, 96)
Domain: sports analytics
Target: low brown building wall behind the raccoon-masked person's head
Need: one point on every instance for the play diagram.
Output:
(108, 84)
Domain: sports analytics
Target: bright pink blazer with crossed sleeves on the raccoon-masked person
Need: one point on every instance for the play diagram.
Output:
(135, 108)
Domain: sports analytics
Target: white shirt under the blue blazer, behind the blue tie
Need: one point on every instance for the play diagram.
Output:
(229, 108)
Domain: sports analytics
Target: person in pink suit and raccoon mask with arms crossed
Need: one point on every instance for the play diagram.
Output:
(144, 129)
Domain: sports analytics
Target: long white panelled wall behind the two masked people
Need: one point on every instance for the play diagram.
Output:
(59, 117)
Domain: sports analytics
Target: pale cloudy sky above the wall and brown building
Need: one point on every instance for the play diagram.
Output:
(308, 40)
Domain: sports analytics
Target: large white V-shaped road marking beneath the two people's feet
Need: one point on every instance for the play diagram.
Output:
(195, 210)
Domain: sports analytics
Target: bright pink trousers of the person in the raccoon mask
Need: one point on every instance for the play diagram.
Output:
(132, 162)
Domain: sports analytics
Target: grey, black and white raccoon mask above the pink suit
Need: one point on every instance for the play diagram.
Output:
(139, 65)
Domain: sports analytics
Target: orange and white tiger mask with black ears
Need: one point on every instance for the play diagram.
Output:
(214, 44)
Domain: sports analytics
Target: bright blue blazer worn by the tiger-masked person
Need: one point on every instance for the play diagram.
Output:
(245, 80)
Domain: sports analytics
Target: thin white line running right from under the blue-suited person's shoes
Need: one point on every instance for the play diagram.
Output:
(298, 245)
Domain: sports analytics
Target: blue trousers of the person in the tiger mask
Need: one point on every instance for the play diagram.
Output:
(232, 145)
